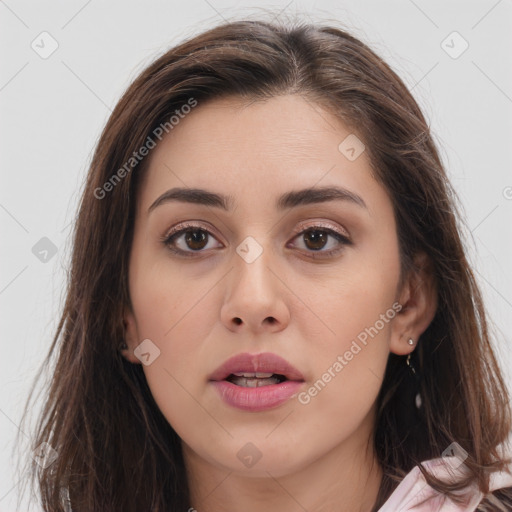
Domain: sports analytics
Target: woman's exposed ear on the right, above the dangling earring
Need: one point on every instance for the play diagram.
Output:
(418, 297)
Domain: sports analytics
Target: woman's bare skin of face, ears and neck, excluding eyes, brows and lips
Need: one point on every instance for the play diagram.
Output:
(317, 456)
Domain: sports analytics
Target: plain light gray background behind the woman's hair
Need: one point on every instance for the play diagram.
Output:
(53, 109)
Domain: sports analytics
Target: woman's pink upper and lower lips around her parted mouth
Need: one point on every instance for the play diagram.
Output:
(259, 398)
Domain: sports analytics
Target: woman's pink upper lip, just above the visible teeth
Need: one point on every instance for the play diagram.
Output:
(252, 363)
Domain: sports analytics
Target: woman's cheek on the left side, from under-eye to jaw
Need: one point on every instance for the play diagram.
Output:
(176, 313)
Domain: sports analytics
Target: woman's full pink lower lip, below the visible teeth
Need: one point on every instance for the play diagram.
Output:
(256, 399)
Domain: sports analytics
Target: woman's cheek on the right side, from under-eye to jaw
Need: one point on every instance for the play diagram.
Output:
(358, 308)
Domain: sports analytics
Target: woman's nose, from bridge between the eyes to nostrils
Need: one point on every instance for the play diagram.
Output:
(255, 296)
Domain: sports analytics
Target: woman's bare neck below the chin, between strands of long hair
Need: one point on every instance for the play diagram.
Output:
(345, 479)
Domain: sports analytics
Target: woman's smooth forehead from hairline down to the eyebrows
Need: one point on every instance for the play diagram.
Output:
(254, 150)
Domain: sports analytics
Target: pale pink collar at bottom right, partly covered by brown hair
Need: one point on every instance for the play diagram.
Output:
(413, 494)
